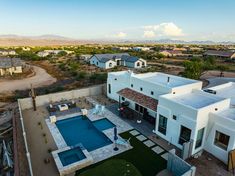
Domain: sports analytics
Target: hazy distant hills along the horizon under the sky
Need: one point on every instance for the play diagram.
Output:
(53, 40)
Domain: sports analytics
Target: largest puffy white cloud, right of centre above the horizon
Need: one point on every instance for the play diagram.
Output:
(165, 29)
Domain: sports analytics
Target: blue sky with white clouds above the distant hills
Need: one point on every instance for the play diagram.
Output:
(120, 19)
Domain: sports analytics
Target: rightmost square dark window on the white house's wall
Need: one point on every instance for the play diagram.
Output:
(221, 140)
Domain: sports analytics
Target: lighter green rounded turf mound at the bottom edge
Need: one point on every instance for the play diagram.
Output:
(113, 167)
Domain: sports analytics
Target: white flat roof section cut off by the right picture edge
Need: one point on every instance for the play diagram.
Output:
(225, 90)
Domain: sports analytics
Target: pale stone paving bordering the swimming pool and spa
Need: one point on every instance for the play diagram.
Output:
(99, 154)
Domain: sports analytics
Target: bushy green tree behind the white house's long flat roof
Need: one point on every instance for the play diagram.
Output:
(193, 69)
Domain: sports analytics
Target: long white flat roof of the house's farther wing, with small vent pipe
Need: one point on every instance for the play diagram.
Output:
(162, 79)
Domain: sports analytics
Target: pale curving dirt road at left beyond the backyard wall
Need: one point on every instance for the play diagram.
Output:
(41, 78)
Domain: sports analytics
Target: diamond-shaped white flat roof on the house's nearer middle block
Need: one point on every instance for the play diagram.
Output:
(196, 99)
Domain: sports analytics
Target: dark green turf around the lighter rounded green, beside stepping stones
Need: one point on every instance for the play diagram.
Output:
(143, 158)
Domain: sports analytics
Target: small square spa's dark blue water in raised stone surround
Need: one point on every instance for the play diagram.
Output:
(71, 156)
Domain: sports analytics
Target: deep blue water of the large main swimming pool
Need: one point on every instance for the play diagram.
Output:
(80, 129)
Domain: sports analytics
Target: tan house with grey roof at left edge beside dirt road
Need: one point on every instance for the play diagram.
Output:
(10, 66)
